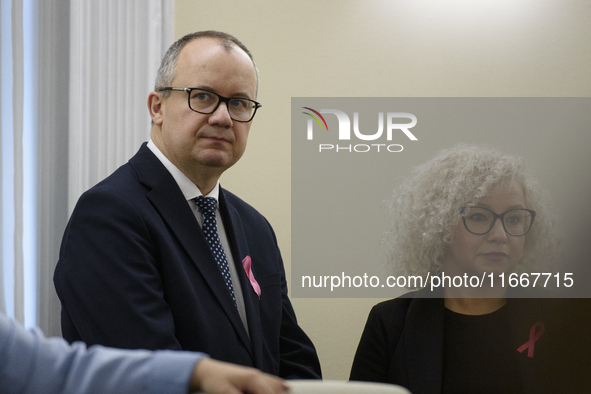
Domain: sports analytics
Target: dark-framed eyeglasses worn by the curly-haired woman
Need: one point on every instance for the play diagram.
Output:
(479, 220)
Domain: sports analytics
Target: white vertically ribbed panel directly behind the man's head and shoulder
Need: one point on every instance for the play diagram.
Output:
(116, 50)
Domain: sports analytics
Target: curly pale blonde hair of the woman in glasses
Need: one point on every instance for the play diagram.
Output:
(425, 208)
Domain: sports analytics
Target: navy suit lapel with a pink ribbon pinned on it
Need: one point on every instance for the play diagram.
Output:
(238, 244)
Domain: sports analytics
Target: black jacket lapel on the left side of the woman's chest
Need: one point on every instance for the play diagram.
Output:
(424, 344)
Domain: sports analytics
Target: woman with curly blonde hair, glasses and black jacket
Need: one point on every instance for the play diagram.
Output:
(469, 211)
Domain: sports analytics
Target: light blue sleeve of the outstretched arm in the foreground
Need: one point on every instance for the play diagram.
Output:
(31, 363)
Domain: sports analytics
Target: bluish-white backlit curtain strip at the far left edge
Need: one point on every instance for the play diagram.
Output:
(18, 135)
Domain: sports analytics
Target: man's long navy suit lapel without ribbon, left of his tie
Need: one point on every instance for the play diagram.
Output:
(172, 207)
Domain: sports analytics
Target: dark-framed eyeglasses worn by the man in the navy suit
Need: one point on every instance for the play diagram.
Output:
(207, 102)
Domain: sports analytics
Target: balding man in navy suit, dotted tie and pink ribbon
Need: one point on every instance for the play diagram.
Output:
(142, 262)
